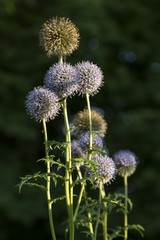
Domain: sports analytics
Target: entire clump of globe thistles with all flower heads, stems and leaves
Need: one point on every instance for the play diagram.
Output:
(60, 37)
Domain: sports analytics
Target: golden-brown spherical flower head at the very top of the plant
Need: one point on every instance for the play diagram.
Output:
(59, 36)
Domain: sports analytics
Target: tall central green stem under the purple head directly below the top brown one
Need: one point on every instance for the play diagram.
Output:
(68, 182)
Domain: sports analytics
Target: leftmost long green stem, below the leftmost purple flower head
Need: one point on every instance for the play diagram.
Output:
(48, 183)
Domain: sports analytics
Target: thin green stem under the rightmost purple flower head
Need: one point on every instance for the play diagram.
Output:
(126, 209)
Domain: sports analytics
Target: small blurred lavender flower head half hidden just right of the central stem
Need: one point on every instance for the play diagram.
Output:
(77, 152)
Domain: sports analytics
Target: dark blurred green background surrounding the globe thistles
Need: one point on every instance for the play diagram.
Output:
(123, 38)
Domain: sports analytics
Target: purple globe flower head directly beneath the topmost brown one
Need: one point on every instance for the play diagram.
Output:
(61, 78)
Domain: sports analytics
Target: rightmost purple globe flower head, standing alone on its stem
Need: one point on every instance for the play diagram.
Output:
(125, 163)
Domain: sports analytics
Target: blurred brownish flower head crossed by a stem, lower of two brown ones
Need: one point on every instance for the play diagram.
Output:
(81, 123)
